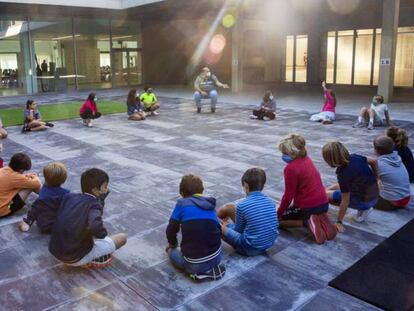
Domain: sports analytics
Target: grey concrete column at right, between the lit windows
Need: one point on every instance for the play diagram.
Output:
(390, 15)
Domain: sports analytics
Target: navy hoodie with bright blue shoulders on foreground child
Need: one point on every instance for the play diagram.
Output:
(200, 228)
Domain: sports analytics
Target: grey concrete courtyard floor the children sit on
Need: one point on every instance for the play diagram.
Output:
(145, 161)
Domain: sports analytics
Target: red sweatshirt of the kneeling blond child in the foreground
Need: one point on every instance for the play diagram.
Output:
(303, 186)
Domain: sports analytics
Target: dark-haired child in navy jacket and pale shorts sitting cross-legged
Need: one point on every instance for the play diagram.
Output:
(79, 237)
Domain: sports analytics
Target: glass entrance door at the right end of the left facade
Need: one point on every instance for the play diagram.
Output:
(127, 68)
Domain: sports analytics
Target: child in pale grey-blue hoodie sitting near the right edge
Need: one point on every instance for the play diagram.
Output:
(394, 182)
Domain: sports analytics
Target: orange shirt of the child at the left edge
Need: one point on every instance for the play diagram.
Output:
(11, 183)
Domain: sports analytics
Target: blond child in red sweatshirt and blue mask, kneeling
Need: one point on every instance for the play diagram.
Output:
(303, 187)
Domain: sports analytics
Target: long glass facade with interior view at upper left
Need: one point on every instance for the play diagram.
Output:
(47, 55)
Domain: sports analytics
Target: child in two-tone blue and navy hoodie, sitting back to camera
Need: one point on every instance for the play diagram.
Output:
(201, 253)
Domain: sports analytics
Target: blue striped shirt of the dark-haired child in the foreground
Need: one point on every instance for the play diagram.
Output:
(256, 220)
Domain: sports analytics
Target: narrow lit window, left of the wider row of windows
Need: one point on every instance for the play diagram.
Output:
(296, 58)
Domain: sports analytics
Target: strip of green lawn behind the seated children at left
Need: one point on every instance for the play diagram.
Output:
(70, 110)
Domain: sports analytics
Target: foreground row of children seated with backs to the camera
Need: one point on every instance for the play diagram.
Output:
(250, 226)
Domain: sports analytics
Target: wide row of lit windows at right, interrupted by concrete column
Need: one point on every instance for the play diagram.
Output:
(353, 57)
